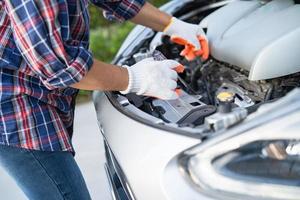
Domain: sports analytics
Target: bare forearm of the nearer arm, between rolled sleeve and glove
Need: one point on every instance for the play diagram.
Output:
(105, 77)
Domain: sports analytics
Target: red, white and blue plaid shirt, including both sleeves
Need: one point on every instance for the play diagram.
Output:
(43, 50)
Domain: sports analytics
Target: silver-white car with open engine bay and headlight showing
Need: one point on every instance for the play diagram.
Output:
(234, 133)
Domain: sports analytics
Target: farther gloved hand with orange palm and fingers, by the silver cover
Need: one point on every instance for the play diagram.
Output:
(191, 36)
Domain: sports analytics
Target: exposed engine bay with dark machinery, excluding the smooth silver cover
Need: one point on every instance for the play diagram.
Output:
(214, 94)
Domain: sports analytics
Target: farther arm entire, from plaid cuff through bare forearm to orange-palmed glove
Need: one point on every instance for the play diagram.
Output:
(140, 12)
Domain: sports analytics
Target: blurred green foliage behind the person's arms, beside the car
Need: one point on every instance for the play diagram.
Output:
(103, 44)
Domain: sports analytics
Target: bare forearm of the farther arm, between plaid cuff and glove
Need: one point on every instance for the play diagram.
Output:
(152, 17)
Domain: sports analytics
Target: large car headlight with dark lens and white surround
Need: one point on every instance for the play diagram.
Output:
(262, 162)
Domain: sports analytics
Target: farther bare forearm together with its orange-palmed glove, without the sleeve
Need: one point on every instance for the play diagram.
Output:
(189, 35)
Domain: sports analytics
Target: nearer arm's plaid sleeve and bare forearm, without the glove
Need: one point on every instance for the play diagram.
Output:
(44, 50)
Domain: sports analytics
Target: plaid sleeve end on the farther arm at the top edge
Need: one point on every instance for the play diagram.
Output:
(119, 10)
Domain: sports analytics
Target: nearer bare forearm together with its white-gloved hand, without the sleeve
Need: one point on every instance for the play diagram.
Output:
(147, 77)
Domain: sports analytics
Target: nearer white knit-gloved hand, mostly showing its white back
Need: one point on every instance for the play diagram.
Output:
(154, 78)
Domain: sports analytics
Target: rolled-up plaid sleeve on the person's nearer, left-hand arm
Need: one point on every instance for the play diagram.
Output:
(37, 28)
